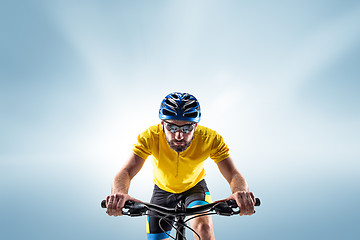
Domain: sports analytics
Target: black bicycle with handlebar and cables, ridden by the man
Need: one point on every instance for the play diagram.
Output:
(180, 212)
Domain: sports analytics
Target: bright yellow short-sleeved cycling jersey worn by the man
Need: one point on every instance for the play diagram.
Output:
(177, 172)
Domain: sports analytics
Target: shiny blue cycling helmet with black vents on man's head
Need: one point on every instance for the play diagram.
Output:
(180, 106)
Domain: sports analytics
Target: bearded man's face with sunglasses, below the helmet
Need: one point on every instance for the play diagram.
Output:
(178, 140)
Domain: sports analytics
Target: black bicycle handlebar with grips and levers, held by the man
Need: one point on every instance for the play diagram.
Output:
(226, 208)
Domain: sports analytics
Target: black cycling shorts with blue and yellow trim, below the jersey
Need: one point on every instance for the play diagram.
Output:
(197, 195)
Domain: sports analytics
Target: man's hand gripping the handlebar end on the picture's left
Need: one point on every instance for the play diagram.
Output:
(116, 202)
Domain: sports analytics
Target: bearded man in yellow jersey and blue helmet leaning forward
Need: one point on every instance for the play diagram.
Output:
(179, 147)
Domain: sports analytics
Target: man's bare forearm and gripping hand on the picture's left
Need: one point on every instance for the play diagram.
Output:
(120, 187)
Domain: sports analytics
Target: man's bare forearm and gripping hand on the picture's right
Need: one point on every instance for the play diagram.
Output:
(238, 185)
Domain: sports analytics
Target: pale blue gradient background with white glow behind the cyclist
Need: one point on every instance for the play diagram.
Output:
(278, 79)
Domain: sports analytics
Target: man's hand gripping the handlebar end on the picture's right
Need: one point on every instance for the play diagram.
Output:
(245, 201)
